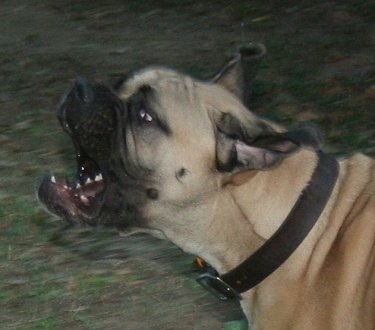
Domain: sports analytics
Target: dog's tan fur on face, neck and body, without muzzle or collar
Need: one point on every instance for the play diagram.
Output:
(329, 281)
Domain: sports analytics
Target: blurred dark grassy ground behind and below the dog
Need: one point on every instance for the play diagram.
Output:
(319, 67)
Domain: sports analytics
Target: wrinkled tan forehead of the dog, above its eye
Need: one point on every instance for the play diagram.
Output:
(183, 101)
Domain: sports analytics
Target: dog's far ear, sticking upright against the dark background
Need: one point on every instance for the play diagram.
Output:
(238, 74)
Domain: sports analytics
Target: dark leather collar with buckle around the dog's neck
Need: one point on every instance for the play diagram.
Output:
(274, 252)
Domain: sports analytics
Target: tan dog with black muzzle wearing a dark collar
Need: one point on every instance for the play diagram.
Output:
(290, 230)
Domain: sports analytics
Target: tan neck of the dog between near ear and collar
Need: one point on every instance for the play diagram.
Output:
(255, 216)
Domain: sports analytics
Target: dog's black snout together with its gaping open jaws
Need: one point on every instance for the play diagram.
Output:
(87, 115)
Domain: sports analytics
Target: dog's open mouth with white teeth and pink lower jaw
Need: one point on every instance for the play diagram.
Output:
(77, 200)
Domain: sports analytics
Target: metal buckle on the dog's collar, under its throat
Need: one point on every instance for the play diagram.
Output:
(217, 287)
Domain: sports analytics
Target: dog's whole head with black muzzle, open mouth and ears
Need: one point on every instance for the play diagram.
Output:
(159, 147)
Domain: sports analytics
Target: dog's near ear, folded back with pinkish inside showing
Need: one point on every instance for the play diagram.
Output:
(241, 148)
